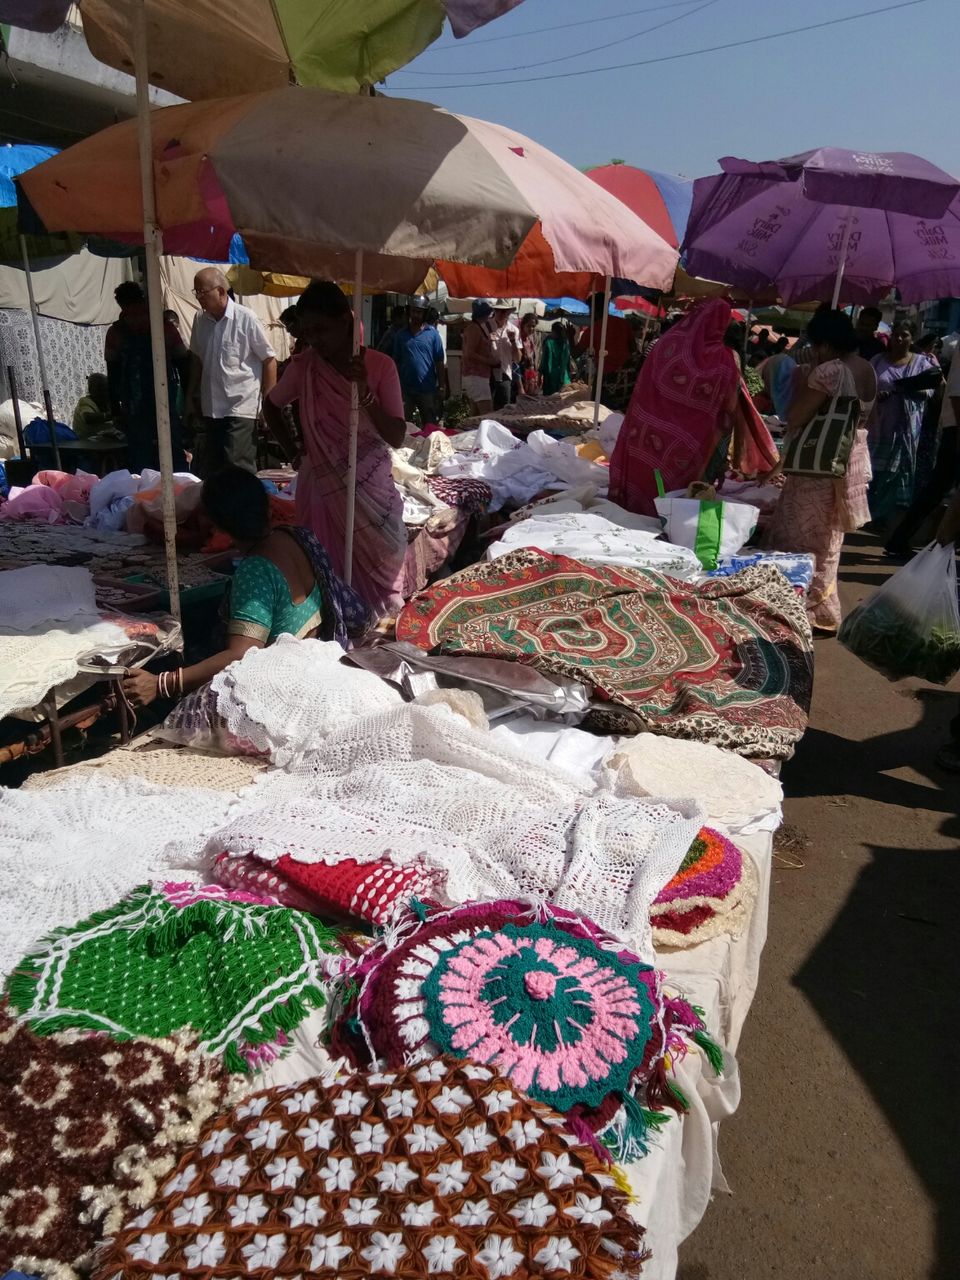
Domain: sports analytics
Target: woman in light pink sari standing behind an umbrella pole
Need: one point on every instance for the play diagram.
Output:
(319, 380)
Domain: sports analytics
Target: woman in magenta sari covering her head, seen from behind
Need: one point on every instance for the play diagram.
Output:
(683, 408)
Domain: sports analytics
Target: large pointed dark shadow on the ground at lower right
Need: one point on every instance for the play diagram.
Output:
(893, 1003)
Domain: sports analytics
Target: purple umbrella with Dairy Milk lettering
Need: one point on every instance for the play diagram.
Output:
(808, 225)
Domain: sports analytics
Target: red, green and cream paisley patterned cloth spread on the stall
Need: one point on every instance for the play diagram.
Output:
(728, 662)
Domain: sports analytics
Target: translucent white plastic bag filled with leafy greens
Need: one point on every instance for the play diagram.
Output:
(912, 625)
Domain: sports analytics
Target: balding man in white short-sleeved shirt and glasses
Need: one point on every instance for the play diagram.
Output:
(235, 367)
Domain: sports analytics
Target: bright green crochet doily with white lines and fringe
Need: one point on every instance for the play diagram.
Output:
(241, 975)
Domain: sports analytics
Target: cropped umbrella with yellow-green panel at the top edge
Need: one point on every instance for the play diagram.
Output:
(209, 49)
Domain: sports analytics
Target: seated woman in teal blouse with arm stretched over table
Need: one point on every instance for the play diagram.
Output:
(285, 586)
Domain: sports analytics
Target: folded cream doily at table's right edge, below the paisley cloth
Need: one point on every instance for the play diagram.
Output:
(728, 787)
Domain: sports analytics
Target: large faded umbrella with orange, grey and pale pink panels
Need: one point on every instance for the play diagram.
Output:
(309, 177)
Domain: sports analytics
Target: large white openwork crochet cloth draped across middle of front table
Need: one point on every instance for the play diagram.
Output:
(419, 785)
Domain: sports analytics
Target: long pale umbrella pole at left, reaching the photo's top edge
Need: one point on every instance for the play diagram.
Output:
(153, 245)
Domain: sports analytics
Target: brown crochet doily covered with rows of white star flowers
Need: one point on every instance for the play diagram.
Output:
(438, 1171)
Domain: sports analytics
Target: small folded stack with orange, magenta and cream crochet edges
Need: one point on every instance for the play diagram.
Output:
(714, 893)
